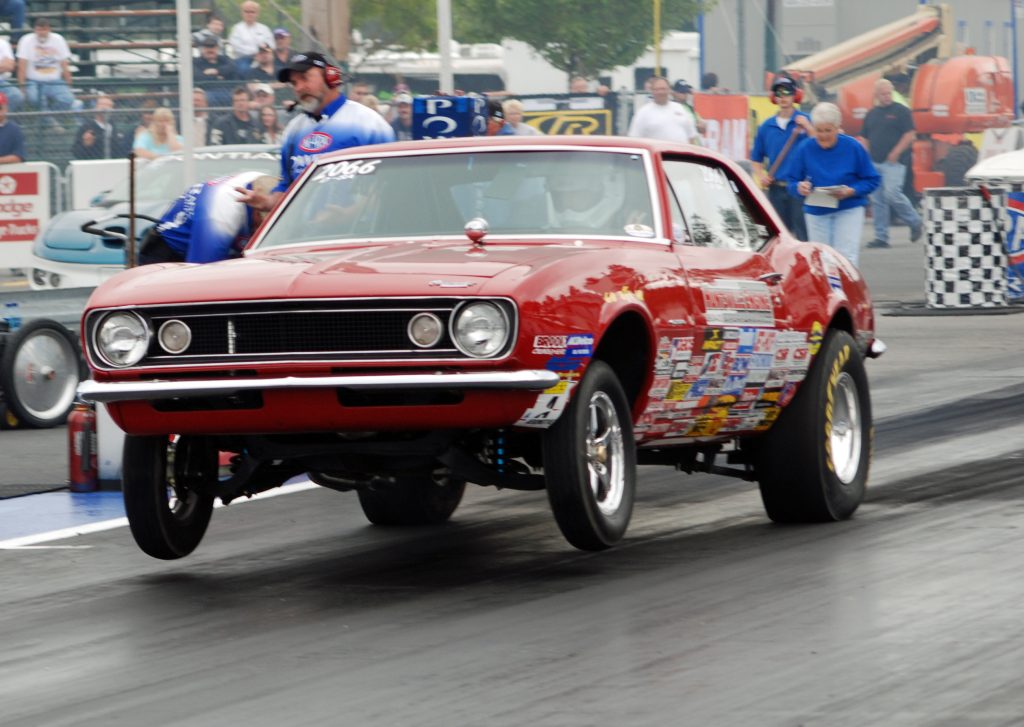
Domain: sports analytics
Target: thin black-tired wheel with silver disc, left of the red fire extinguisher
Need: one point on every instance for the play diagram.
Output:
(39, 373)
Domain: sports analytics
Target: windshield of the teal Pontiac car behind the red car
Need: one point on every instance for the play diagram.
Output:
(163, 179)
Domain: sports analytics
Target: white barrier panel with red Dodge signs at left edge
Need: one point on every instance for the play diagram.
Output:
(28, 194)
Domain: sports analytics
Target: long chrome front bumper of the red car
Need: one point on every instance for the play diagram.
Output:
(151, 391)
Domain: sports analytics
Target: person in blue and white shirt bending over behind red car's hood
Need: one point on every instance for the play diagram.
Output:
(207, 224)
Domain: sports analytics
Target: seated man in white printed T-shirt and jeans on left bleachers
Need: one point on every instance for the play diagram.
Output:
(44, 70)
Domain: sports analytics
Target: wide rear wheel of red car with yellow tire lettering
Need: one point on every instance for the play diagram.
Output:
(814, 464)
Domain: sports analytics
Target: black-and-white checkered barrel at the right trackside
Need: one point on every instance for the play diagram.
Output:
(966, 261)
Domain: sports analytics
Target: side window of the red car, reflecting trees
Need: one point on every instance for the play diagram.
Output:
(715, 213)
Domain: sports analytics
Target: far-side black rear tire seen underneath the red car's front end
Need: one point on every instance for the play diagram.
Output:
(413, 501)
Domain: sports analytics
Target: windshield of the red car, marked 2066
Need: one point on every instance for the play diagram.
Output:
(519, 193)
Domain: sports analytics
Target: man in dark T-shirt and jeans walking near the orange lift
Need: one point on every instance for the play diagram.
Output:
(889, 133)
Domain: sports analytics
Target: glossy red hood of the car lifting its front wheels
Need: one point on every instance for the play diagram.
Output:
(409, 269)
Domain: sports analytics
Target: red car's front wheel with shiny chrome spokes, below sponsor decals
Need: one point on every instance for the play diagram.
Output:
(590, 462)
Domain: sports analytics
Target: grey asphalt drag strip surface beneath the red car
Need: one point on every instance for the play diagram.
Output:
(295, 612)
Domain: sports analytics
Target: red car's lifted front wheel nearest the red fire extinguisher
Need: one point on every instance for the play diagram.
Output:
(166, 492)
